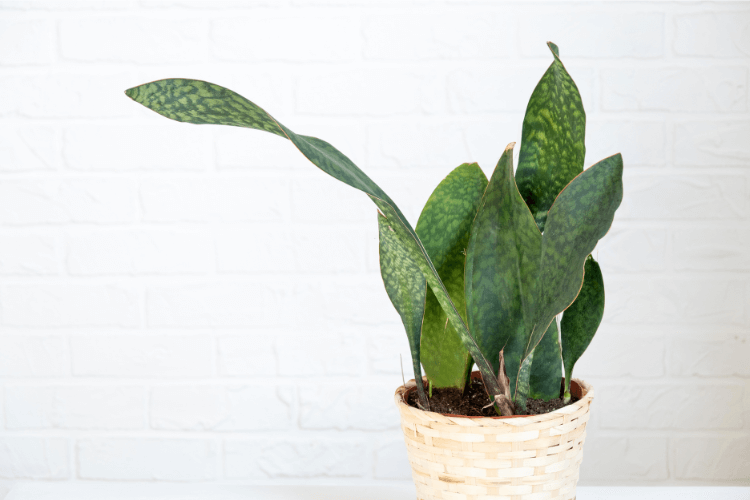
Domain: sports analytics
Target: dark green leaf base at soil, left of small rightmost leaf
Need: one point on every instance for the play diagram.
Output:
(546, 370)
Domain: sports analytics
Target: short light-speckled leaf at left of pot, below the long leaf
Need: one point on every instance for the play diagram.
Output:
(406, 288)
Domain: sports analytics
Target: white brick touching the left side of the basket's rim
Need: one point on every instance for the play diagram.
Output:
(364, 407)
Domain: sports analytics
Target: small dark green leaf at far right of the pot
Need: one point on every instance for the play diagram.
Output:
(581, 320)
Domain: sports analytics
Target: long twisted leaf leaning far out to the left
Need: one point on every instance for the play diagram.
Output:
(198, 102)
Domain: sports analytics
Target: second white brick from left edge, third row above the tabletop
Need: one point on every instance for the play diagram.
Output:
(142, 356)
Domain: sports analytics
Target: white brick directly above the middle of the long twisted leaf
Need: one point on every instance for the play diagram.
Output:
(370, 92)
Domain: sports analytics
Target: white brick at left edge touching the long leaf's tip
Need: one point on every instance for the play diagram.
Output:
(67, 95)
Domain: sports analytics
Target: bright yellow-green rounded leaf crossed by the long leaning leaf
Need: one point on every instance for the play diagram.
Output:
(444, 227)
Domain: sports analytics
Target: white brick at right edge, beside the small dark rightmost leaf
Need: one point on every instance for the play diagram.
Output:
(675, 301)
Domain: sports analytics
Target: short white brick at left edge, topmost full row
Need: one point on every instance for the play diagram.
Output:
(26, 41)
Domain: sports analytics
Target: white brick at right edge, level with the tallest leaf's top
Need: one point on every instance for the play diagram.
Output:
(707, 89)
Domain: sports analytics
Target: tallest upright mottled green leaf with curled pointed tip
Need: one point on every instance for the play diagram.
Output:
(552, 140)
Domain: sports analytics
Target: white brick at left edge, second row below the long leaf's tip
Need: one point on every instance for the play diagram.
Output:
(61, 201)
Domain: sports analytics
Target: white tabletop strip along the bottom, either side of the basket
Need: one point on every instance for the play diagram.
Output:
(130, 491)
